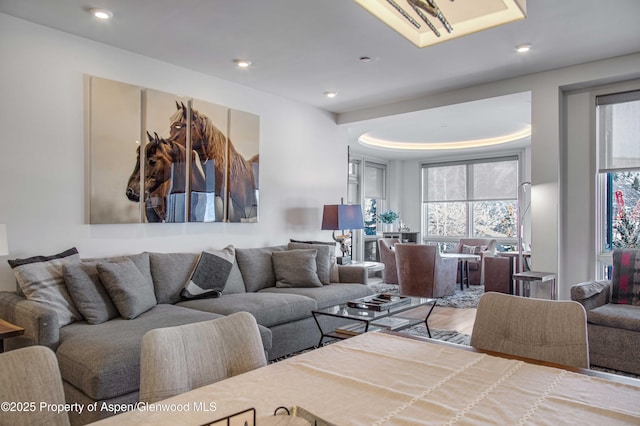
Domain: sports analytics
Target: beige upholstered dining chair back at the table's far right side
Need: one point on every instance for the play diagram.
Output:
(546, 330)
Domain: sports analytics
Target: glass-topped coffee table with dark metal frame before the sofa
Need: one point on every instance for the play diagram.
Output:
(364, 320)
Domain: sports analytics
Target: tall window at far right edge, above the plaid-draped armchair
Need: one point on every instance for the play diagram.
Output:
(618, 140)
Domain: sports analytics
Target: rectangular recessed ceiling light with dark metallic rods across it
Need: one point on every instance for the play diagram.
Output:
(427, 22)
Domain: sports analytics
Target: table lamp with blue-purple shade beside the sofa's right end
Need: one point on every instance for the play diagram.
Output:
(342, 217)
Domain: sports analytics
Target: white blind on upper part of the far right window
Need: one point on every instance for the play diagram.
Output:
(618, 131)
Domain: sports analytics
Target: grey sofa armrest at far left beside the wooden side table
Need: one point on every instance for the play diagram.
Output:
(40, 323)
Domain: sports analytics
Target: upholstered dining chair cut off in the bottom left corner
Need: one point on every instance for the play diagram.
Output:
(31, 375)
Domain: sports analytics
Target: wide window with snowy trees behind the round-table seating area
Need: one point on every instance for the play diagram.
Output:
(470, 199)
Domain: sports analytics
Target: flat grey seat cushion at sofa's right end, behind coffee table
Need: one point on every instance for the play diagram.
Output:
(328, 295)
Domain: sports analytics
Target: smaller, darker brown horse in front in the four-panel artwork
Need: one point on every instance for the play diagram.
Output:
(164, 172)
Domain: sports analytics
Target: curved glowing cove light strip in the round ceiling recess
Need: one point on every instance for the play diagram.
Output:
(428, 146)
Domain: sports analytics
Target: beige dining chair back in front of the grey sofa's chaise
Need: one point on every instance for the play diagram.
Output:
(175, 360)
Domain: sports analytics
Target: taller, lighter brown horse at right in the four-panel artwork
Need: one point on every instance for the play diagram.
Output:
(211, 144)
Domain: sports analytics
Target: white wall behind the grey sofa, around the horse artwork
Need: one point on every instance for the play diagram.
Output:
(42, 145)
